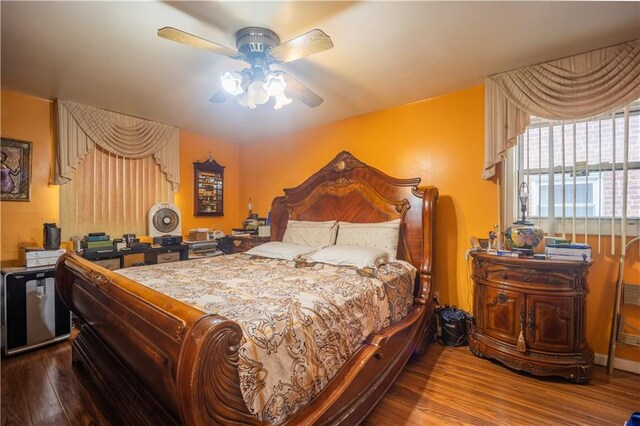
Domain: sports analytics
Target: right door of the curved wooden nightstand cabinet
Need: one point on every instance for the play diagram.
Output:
(550, 323)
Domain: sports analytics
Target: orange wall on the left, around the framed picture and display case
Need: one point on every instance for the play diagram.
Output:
(31, 119)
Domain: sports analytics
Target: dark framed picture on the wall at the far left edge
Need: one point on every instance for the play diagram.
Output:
(16, 170)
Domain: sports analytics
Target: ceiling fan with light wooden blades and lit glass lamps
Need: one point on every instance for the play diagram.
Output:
(260, 48)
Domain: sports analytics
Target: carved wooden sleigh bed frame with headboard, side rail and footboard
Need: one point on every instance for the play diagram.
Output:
(159, 361)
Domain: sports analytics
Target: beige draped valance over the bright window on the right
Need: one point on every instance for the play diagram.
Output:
(576, 87)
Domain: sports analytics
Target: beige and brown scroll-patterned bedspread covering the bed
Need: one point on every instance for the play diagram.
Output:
(301, 322)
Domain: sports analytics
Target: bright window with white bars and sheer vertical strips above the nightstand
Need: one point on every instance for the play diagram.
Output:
(593, 166)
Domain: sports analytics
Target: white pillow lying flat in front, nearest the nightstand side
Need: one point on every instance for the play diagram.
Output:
(360, 257)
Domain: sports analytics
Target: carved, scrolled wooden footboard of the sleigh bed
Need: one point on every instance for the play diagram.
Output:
(157, 360)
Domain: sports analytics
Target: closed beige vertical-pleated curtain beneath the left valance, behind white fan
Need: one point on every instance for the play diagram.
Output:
(112, 194)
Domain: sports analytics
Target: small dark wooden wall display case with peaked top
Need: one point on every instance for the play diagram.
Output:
(208, 188)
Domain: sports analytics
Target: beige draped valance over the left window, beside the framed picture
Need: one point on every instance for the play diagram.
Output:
(80, 128)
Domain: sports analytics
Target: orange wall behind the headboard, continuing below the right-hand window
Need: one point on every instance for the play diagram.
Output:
(442, 141)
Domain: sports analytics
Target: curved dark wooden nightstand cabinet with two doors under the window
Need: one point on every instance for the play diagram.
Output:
(542, 302)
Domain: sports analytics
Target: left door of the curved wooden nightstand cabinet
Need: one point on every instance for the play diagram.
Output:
(502, 311)
